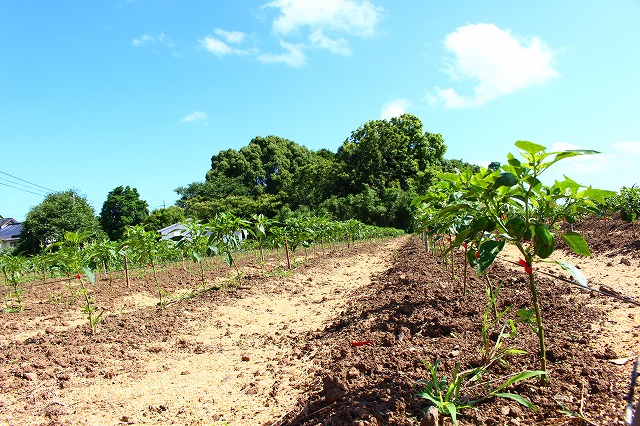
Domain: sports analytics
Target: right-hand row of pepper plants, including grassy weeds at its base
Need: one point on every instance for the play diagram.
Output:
(477, 214)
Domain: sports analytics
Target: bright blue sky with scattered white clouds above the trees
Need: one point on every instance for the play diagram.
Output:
(97, 94)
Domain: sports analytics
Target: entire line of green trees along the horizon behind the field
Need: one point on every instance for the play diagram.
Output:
(372, 177)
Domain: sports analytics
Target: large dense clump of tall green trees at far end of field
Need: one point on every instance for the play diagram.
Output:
(373, 176)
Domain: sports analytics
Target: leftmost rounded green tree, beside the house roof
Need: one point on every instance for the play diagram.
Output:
(60, 212)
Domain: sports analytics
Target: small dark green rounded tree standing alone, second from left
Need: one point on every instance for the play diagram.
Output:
(122, 208)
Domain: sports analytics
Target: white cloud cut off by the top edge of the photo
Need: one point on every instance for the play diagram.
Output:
(352, 16)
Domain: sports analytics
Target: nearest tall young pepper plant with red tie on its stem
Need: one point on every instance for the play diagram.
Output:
(511, 196)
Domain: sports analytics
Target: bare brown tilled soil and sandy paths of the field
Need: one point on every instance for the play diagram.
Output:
(280, 349)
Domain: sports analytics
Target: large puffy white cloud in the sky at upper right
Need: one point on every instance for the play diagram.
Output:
(498, 60)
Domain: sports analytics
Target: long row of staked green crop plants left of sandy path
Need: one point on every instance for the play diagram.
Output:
(75, 259)
